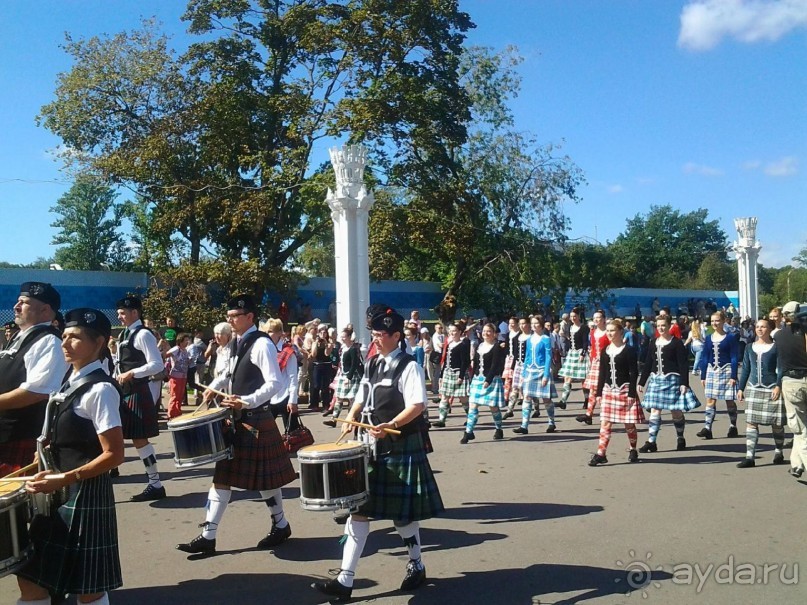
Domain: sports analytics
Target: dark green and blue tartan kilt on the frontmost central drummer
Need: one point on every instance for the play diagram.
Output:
(402, 484)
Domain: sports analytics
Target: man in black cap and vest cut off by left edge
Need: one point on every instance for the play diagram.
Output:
(31, 367)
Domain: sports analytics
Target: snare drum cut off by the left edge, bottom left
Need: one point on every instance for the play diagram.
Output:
(15, 513)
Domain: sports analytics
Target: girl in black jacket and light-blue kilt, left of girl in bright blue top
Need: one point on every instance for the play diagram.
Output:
(487, 387)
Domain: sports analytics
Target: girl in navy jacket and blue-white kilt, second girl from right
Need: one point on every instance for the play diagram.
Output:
(719, 374)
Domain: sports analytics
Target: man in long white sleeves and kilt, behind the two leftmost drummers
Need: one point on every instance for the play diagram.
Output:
(138, 359)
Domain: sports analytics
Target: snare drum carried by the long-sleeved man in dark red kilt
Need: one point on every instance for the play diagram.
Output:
(199, 437)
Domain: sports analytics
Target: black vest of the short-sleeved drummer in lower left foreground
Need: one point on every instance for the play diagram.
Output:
(73, 440)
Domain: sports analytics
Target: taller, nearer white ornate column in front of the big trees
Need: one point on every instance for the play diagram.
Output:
(350, 206)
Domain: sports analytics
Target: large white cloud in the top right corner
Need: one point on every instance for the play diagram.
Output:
(704, 23)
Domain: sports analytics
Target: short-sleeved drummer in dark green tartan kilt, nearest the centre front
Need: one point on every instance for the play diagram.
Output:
(403, 501)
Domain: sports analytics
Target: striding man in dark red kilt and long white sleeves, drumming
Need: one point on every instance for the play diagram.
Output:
(260, 461)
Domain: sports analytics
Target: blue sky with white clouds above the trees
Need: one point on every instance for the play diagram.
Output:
(689, 103)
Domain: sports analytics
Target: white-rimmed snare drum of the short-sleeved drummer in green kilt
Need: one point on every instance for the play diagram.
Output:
(333, 476)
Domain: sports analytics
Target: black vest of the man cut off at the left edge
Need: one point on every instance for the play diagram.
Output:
(24, 423)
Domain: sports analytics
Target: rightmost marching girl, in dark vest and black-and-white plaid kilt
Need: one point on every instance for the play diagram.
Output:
(763, 401)
